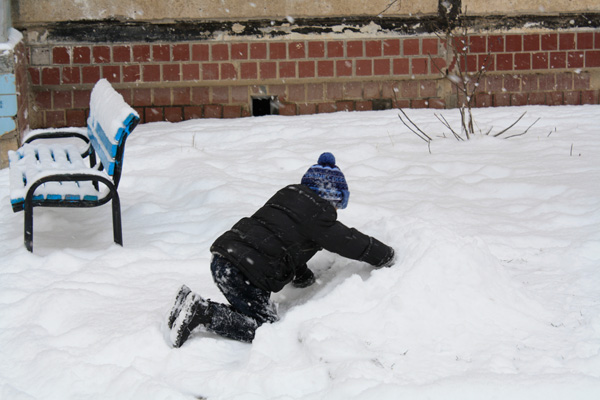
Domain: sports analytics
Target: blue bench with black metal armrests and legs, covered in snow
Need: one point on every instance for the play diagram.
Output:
(51, 170)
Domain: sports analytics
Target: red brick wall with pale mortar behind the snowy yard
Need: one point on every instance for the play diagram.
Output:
(217, 79)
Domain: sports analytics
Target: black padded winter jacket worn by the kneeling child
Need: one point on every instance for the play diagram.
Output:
(275, 243)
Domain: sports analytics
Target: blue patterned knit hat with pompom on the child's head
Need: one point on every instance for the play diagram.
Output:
(326, 179)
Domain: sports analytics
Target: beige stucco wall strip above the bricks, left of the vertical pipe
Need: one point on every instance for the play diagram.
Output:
(34, 11)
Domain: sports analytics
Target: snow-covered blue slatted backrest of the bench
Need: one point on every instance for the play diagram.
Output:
(111, 120)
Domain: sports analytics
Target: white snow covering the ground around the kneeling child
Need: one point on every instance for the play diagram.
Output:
(494, 295)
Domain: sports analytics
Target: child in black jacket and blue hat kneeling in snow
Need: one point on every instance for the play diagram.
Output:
(263, 253)
